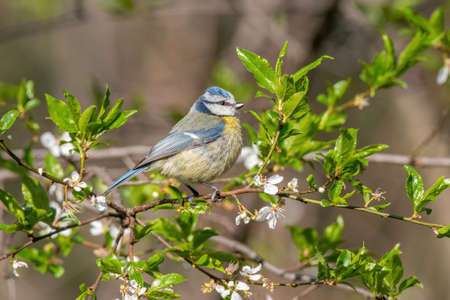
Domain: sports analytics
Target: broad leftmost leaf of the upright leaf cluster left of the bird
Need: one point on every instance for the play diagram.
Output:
(61, 114)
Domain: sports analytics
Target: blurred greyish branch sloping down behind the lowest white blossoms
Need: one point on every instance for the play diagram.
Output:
(251, 254)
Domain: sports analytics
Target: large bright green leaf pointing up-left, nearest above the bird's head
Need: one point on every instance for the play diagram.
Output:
(259, 67)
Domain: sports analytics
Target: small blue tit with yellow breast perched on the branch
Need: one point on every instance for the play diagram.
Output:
(200, 147)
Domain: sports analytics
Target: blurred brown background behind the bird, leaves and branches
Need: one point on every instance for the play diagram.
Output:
(160, 56)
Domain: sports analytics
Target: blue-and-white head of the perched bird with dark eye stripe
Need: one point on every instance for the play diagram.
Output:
(217, 101)
